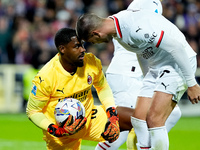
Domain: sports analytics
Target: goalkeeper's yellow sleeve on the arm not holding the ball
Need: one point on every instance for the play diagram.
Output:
(103, 89)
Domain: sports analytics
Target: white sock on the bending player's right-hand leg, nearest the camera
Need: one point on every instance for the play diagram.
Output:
(159, 138)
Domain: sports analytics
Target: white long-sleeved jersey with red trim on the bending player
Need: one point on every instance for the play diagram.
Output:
(155, 40)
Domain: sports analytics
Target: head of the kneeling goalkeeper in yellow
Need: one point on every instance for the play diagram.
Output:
(70, 48)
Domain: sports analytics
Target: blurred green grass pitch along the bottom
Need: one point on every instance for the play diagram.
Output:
(18, 133)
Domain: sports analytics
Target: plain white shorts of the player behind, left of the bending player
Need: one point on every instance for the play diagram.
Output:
(125, 88)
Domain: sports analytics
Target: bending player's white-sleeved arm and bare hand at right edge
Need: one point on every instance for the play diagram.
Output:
(177, 50)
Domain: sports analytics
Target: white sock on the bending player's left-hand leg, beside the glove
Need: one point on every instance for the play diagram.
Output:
(141, 130)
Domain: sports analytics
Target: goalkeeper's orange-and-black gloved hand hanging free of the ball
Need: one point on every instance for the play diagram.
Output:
(112, 130)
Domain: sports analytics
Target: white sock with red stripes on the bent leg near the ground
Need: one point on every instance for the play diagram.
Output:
(115, 145)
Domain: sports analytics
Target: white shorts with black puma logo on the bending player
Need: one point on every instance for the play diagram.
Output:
(167, 80)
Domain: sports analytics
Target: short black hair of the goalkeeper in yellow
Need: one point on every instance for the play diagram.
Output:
(63, 36)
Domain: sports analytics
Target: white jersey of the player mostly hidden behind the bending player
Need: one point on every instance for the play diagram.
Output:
(123, 61)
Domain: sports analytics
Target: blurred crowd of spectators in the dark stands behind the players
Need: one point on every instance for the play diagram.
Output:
(27, 27)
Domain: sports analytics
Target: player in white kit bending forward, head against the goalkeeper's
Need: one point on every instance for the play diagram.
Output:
(166, 59)
